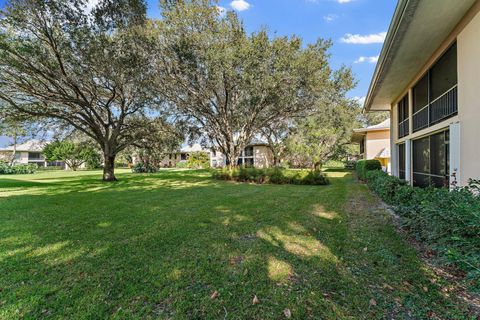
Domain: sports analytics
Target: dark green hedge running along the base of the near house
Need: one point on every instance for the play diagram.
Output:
(446, 221)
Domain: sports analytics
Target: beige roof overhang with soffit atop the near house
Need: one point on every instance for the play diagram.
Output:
(417, 30)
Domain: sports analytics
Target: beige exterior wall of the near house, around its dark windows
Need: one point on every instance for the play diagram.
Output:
(464, 157)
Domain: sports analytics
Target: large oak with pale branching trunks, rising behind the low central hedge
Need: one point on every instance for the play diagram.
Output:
(232, 84)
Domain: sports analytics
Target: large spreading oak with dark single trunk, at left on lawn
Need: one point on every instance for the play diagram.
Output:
(86, 67)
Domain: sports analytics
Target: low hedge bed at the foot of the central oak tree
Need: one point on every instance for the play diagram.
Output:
(272, 176)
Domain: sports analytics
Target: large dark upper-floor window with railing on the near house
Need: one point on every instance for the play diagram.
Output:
(435, 95)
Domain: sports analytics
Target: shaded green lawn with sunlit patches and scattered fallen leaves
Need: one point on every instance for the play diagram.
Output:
(158, 246)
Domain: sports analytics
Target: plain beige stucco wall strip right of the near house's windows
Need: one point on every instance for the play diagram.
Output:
(468, 42)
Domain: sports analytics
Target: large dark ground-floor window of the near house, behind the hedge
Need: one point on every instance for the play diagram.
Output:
(431, 160)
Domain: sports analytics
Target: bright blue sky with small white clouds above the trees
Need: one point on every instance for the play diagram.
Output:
(356, 27)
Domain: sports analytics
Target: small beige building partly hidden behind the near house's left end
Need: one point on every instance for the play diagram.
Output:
(374, 143)
